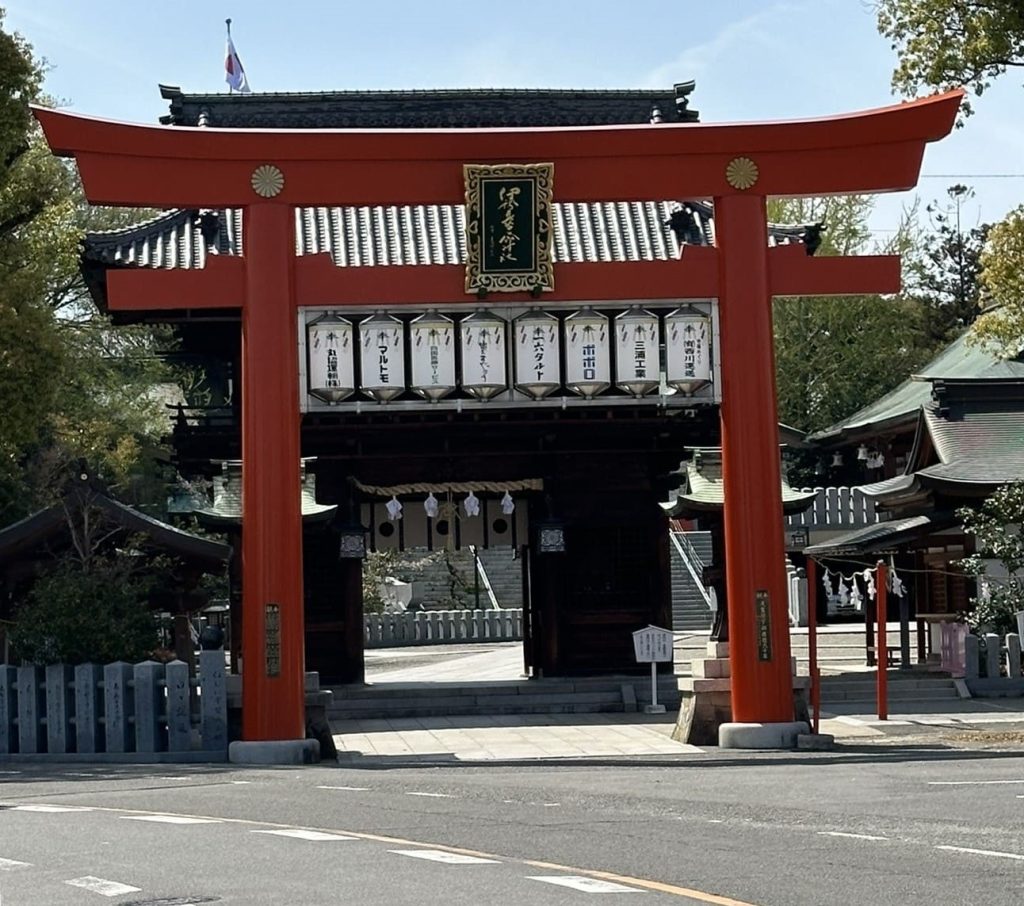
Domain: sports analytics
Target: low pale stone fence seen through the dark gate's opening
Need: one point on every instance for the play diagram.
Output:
(441, 627)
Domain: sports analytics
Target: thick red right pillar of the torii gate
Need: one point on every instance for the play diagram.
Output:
(759, 624)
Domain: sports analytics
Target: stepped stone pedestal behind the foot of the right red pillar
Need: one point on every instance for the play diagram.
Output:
(707, 699)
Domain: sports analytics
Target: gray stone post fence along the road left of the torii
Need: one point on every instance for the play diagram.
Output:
(117, 709)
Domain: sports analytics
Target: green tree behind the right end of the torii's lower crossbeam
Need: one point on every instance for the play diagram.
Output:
(834, 355)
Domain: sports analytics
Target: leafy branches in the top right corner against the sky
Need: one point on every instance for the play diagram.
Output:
(950, 44)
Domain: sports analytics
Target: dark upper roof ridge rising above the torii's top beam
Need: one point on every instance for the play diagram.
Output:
(434, 109)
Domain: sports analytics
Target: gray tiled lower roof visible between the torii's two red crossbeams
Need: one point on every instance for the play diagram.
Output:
(420, 235)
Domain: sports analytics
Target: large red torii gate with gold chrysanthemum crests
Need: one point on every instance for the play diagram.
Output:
(270, 172)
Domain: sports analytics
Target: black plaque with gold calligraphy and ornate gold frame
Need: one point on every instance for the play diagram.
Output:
(508, 228)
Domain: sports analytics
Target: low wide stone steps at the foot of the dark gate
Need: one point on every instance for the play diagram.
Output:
(550, 697)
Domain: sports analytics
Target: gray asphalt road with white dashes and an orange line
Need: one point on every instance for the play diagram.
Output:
(902, 827)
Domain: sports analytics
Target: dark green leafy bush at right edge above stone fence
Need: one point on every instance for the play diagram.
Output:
(997, 528)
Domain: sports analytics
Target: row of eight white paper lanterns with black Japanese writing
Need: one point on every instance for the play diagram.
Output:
(482, 337)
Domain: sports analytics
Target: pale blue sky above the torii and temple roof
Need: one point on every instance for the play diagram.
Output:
(751, 61)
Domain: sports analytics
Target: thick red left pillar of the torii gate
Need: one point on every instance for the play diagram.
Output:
(273, 643)
